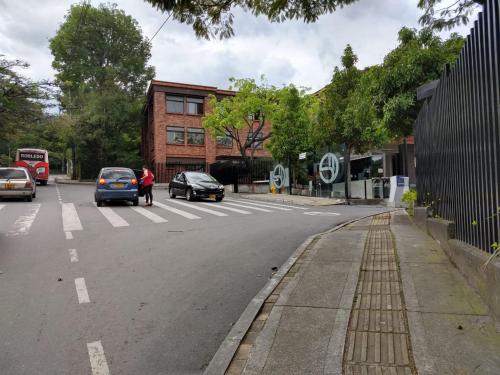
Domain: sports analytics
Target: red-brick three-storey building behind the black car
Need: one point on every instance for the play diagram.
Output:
(173, 138)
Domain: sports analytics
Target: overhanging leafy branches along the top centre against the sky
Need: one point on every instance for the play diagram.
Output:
(215, 17)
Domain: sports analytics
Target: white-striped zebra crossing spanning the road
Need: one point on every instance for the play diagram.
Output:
(78, 217)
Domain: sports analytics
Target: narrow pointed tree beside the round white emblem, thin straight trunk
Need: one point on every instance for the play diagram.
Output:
(347, 115)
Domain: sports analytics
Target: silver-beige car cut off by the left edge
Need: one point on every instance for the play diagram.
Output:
(17, 182)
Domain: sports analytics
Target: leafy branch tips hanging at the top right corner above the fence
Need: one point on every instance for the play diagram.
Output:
(449, 16)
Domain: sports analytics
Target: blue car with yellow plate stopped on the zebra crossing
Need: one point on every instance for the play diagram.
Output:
(116, 184)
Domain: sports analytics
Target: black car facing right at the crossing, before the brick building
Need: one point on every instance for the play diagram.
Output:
(194, 185)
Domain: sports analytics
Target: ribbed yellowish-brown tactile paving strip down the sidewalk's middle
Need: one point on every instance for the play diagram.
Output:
(378, 340)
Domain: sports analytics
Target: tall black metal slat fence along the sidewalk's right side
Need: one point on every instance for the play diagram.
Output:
(458, 138)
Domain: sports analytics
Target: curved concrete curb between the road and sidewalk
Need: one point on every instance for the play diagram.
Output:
(224, 355)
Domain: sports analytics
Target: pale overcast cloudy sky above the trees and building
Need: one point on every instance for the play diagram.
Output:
(291, 52)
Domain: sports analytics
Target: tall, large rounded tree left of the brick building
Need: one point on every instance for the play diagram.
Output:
(101, 60)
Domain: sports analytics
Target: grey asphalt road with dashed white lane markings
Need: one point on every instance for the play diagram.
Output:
(80, 294)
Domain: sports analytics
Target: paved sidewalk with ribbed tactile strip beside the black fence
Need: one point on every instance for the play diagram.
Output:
(375, 297)
